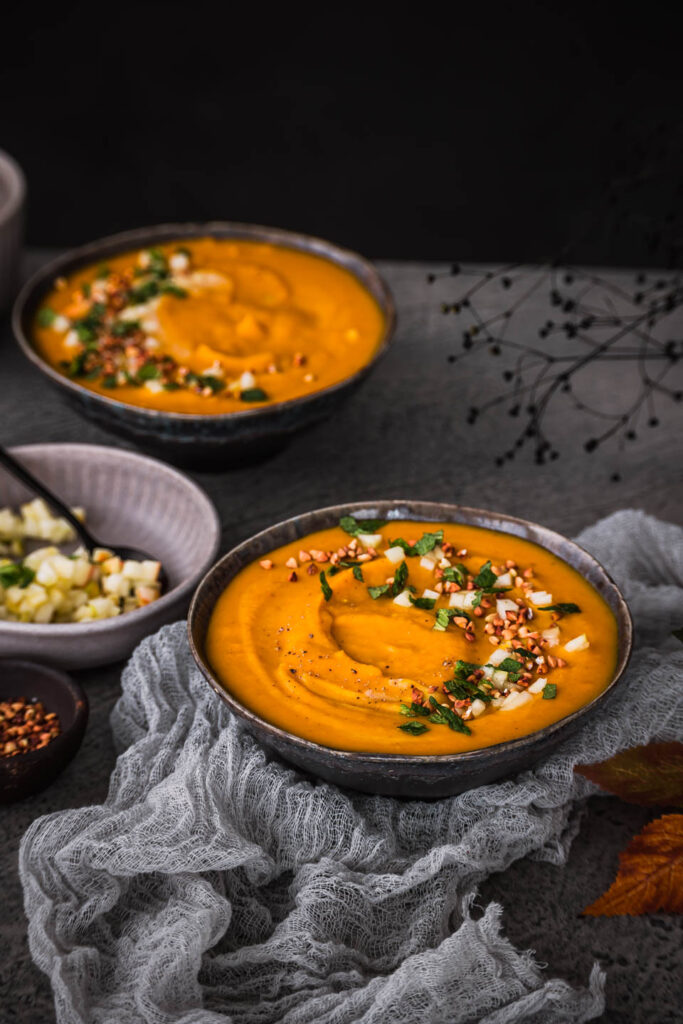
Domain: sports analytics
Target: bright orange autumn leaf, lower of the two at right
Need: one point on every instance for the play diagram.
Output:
(651, 873)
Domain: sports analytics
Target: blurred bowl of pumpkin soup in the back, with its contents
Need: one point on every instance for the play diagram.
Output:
(211, 343)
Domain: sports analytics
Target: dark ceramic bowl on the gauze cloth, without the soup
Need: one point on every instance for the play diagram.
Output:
(398, 775)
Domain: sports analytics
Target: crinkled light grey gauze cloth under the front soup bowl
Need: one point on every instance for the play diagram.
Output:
(217, 884)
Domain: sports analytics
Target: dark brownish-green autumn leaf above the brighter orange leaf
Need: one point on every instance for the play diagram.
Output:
(648, 776)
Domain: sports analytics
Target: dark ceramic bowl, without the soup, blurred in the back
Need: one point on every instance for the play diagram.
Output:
(220, 441)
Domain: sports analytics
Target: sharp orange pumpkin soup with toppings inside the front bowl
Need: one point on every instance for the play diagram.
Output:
(412, 638)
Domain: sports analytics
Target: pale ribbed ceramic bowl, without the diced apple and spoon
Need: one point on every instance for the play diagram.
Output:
(130, 500)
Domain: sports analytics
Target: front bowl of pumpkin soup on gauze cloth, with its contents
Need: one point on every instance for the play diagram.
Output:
(410, 649)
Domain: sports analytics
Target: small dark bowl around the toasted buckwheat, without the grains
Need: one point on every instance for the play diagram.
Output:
(28, 774)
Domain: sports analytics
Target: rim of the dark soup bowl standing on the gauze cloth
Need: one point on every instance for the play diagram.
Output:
(374, 508)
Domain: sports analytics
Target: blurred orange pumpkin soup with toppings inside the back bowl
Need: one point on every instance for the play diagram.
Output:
(209, 326)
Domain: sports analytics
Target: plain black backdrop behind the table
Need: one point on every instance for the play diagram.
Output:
(500, 133)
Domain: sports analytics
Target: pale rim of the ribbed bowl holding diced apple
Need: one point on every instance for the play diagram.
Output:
(51, 630)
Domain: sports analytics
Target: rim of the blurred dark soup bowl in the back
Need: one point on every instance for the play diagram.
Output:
(119, 243)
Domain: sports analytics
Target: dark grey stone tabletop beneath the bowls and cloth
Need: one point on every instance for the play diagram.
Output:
(405, 436)
